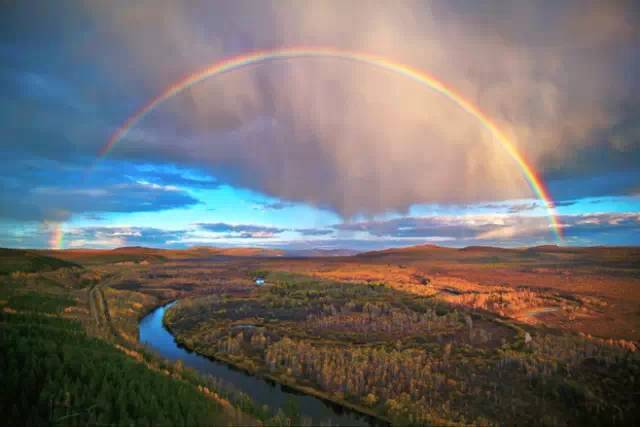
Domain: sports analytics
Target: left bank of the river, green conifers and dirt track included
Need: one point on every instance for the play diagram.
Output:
(71, 355)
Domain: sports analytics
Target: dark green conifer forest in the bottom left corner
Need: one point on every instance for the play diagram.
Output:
(53, 373)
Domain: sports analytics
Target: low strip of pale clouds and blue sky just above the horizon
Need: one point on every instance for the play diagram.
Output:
(458, 231)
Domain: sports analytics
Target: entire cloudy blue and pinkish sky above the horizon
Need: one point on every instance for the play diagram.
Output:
(318, 152)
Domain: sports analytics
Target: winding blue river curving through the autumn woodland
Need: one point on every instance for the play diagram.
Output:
(153, 334)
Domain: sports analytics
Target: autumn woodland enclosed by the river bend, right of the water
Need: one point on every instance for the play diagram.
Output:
(413, 360)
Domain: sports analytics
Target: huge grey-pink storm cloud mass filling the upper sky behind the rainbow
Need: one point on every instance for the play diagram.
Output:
(560, 78)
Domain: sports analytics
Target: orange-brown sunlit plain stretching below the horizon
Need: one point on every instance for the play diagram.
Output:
(594, 291)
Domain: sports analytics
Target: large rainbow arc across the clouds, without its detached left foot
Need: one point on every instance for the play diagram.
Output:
(237, 62)
